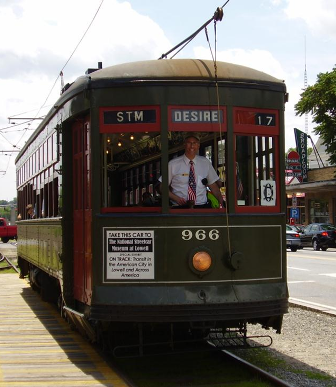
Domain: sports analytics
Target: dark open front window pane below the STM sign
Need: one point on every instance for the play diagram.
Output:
(131, 168)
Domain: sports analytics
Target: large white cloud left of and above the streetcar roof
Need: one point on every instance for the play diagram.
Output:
(38, 38)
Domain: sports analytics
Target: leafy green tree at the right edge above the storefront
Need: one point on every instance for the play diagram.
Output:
(320, 100)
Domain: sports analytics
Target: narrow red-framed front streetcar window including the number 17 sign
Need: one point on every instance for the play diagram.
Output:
(256, 169)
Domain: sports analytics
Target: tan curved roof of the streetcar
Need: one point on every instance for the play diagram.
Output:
(170, 70)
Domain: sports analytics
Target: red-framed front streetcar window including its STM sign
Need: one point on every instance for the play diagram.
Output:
(131, 158)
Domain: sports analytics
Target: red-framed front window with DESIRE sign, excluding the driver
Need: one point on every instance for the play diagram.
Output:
(208, 123)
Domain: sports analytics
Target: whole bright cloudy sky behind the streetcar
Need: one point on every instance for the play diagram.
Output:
(40, 38)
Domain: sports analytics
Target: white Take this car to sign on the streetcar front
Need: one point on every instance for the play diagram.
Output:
(129, 254)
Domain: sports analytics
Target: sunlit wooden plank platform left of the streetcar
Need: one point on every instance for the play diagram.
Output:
(38, 348)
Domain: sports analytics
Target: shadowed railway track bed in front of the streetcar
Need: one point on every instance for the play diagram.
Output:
(210, 368)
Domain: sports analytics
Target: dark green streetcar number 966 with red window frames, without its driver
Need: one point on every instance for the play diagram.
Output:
(117, 263)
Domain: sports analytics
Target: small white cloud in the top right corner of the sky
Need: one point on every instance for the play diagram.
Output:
(319, 15)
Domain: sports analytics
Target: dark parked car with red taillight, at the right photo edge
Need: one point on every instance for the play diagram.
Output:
(319, 235)
